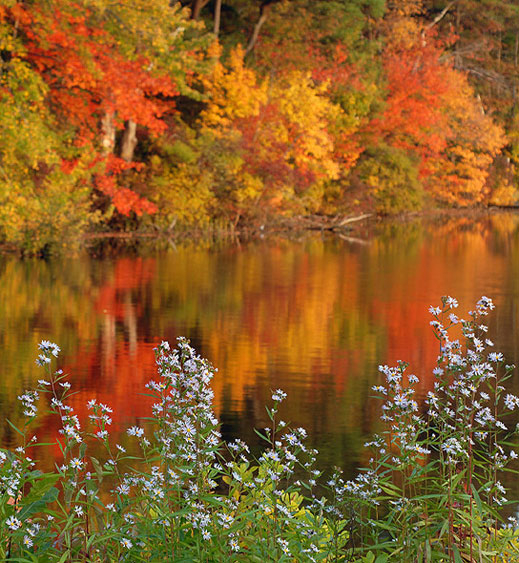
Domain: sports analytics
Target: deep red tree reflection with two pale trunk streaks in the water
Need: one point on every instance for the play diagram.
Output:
(114, 370)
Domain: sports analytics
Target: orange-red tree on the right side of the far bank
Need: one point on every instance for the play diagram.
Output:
(432, 114)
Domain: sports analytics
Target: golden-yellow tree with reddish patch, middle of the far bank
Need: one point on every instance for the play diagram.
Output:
(276, 133)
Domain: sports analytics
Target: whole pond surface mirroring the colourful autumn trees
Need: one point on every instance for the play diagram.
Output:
(313, 316)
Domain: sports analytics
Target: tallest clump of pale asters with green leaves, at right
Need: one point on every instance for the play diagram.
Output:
(432, 491)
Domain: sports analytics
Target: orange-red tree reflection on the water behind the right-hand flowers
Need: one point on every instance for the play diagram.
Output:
(460, 261)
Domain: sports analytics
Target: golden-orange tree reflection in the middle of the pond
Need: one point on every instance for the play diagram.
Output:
(301, 315)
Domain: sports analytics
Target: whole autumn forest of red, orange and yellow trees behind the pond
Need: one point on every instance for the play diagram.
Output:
(166, 116)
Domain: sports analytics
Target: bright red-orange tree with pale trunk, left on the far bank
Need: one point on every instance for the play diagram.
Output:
(93, 88)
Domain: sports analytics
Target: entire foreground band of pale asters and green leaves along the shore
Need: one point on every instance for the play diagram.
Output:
(432, 482)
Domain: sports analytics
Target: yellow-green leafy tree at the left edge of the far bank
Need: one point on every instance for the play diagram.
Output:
(41, 205)
